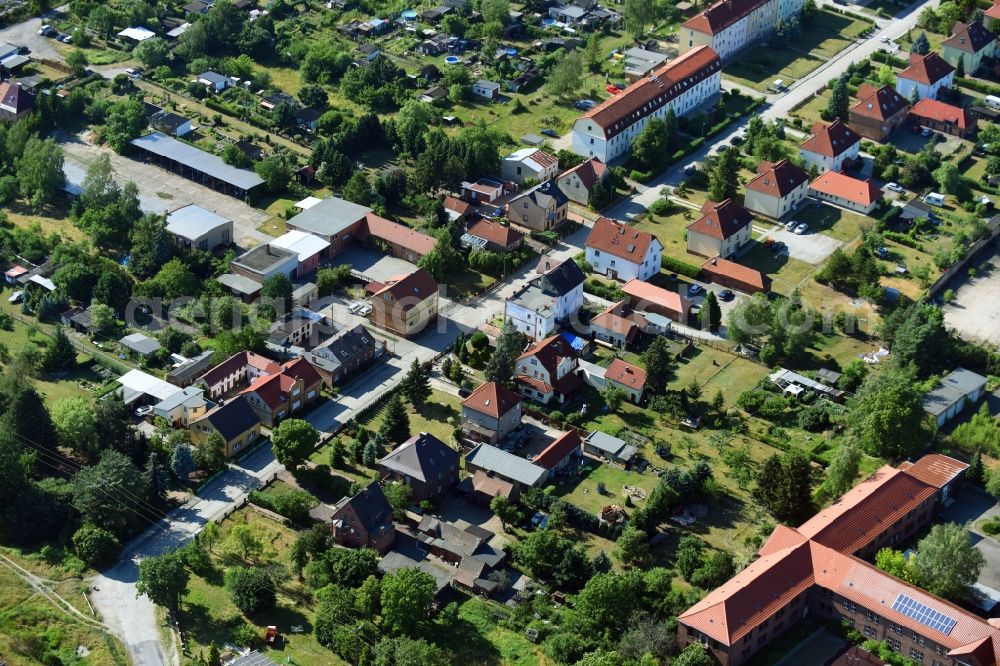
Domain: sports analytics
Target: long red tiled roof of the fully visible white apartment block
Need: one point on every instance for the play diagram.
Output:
(645, 96)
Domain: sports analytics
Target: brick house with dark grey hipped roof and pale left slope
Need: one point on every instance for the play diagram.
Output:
(424, 463)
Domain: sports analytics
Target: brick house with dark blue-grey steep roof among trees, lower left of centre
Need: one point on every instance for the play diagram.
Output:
(364, 520)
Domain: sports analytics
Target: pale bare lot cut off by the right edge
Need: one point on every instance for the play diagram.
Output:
(974, 312)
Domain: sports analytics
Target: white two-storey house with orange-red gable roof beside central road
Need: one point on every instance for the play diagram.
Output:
(621, 252)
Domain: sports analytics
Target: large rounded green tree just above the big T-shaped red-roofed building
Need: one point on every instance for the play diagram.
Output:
(886, 414)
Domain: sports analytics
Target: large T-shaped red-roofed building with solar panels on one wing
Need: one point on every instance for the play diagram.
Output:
(820, 569)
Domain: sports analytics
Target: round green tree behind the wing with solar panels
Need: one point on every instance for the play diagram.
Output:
(947, 563)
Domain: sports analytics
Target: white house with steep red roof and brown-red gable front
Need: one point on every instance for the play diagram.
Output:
(546, 371)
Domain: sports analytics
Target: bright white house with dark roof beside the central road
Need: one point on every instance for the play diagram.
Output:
(545, 301)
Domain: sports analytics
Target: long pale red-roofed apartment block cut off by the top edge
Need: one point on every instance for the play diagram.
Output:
(729, 26)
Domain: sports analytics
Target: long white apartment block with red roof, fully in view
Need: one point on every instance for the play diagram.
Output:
(689, 81)
